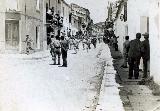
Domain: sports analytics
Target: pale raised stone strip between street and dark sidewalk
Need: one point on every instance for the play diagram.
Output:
(109, 99)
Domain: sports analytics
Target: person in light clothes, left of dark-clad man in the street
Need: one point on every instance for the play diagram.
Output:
(55, 47)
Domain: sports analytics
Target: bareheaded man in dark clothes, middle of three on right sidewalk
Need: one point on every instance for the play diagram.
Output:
(134, 56)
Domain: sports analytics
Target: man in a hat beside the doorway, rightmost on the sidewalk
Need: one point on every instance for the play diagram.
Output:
(145, 54)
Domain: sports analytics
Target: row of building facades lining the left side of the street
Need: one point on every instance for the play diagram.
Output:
(19, 18)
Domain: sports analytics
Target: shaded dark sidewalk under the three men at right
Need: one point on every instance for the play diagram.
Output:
(135, 97)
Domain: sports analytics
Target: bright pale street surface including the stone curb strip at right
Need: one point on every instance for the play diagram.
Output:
(37, 85)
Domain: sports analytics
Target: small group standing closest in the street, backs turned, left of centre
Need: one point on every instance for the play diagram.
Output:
(59, 46)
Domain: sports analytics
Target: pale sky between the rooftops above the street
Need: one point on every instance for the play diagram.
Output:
(98, 8)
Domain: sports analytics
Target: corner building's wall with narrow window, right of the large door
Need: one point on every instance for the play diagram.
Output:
(30, 19)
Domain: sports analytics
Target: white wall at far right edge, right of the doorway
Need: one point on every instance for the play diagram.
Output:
(155, 40)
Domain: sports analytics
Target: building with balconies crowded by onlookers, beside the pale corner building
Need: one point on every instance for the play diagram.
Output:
(53, 16)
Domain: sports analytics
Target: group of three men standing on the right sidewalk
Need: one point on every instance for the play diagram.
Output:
(133, 51)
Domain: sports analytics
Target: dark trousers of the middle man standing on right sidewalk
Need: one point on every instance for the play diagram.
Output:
(134, 67)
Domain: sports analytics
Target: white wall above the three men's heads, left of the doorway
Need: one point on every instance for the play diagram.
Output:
(136, 10)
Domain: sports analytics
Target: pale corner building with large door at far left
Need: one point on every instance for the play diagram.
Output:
(18, 19)
